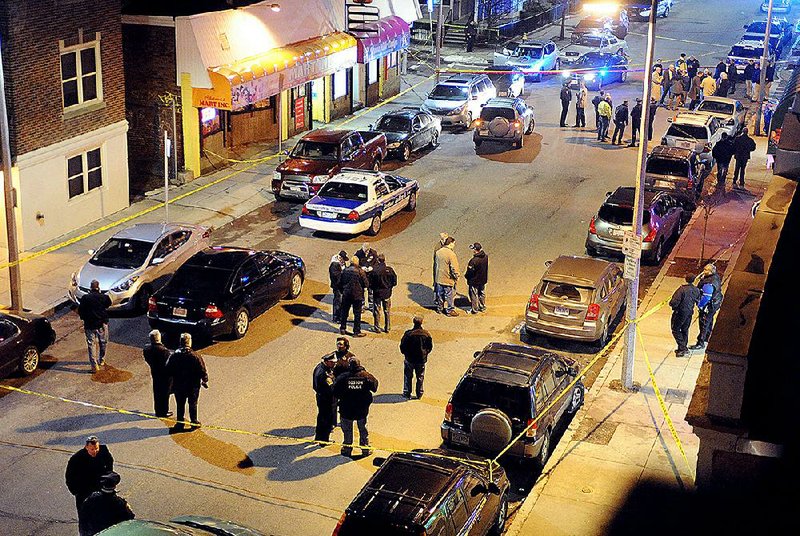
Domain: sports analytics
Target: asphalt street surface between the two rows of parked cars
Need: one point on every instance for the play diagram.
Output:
(525, 206)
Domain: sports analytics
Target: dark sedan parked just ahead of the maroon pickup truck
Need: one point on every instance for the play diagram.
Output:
(408, 130)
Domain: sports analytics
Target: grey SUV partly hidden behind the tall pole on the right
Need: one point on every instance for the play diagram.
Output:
(663, 221)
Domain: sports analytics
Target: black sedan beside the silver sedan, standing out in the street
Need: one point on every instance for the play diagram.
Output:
(220, 289)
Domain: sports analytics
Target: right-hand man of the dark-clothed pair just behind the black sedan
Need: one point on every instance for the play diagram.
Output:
(188, 372)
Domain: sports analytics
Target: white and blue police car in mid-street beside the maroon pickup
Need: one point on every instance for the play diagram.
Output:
(356, 201)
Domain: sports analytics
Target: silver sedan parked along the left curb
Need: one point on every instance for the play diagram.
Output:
(136, 262)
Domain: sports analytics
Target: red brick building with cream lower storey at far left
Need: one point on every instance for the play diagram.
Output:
(65, 91)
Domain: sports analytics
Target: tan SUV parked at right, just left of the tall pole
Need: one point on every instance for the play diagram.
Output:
(578, 299)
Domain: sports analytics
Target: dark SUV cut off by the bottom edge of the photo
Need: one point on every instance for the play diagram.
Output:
(417, 494)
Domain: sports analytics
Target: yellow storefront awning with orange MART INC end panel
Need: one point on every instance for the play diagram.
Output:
(243, 83)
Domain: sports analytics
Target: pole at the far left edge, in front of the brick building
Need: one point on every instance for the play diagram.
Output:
(14, 279)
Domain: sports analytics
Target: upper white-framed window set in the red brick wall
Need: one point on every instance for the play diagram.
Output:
(81, 80)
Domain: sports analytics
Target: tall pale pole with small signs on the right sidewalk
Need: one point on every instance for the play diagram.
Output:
(632, 257)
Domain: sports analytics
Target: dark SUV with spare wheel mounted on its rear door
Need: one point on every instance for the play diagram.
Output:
(506, 387)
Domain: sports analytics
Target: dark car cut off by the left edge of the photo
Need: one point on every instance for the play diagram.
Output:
(23, 337)
